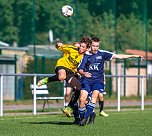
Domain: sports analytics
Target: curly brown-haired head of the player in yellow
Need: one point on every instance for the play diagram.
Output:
(85, 43)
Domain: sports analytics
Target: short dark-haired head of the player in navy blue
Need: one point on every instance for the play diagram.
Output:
(95, 44)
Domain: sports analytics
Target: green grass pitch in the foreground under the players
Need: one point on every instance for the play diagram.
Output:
(128, 123)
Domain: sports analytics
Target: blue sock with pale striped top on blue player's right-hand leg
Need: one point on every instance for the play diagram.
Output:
(90, 108)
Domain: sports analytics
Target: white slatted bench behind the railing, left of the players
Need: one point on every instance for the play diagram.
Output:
(42, 93)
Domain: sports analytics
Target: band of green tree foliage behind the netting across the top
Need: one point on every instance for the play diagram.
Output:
(29, 22)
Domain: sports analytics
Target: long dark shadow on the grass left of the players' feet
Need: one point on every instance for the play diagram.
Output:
(50, 122)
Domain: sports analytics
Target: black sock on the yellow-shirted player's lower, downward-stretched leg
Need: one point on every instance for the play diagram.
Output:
(74, 98)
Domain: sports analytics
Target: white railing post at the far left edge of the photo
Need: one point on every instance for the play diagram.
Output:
(1, 97)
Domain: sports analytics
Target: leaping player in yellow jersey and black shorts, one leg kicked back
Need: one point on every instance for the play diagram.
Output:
(66, 66)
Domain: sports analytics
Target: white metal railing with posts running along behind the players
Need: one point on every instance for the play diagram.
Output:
(118, 77)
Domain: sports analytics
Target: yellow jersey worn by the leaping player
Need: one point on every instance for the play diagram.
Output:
(71, 57)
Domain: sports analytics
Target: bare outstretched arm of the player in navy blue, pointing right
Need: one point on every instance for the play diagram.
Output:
(123, 56)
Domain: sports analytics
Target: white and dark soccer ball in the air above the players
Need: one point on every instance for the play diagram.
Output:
(67, 11)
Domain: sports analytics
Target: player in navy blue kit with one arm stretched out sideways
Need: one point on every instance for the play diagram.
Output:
(92, 70)
